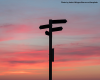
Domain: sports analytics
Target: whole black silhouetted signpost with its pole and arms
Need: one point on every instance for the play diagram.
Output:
(51, 50)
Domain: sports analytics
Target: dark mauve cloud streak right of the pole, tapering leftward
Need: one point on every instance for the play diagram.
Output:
(82, 51)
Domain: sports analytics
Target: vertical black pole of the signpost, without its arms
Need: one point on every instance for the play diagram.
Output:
(50, 49)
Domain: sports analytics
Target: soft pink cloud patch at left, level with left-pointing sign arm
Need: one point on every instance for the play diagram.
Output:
(15, 28)
